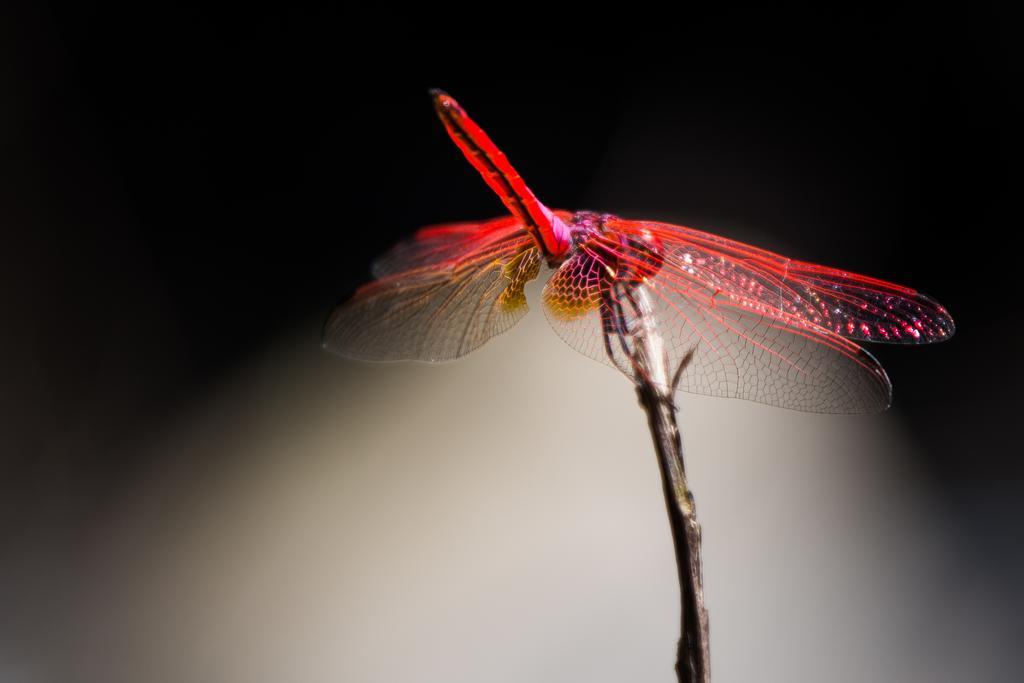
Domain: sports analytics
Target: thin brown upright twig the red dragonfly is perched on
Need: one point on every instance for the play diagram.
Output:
(643, 345)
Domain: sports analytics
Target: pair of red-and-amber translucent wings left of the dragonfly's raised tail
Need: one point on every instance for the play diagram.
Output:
(440, 295)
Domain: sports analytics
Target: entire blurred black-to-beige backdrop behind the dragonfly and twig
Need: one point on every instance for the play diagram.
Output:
(192, 491)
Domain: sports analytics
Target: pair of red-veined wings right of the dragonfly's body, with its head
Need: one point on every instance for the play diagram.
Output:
(744, 315)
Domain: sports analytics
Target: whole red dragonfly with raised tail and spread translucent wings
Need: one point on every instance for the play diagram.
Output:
(749, 323)
